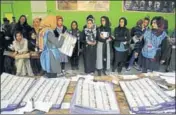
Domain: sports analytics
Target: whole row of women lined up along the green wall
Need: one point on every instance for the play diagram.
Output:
(144, 47)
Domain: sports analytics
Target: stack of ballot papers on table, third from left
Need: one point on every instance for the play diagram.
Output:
(94, 98)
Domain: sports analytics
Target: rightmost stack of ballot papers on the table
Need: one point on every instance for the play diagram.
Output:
(144, 96)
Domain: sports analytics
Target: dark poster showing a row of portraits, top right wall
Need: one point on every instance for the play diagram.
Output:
(149, 6)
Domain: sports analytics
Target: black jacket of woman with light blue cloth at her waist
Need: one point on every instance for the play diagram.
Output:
(122, 35)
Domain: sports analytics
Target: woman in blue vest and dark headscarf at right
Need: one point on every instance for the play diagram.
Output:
(155, 48)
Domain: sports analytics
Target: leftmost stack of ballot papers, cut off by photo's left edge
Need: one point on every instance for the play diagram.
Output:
(13, 90)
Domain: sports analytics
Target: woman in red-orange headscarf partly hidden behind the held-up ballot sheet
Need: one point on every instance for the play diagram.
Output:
(60, 29)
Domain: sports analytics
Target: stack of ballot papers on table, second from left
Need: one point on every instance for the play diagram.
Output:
(47, 93)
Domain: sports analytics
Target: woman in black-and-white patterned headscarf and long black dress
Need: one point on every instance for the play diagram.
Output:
(89, 46)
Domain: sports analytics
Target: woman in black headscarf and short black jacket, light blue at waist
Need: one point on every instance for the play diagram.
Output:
(121, 44)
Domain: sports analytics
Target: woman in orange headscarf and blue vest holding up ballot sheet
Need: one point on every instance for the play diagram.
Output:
(49, 44)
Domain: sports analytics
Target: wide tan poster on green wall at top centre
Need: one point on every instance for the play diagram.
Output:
(82, 5)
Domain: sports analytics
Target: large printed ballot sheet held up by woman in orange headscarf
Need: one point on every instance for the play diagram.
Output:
(68, 44)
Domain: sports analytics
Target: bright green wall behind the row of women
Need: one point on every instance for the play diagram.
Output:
(116, 11)
